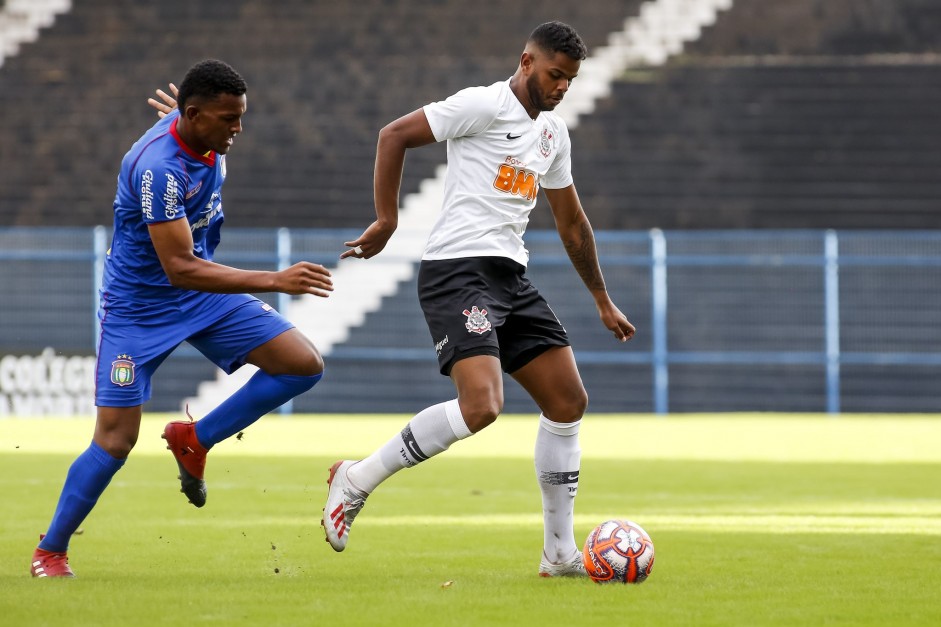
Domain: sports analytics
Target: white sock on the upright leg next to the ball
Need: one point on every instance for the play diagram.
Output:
(558, 458)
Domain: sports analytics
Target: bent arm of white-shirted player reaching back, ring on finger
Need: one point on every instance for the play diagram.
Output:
(409, 131)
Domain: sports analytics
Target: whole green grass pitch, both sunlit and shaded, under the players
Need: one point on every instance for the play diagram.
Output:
(757, 520)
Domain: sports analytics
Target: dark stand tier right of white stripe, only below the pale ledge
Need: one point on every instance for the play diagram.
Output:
(725, 144)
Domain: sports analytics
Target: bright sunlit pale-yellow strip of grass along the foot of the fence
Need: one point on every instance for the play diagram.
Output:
(783, 439)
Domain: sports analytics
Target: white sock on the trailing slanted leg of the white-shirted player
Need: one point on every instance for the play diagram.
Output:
(430, 432)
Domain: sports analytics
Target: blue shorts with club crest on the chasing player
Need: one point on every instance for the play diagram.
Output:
(223, 327)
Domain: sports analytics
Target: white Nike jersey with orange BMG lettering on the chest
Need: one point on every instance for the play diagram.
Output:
(497, 159)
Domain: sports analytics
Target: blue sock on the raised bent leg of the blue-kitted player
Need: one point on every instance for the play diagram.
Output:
(262, 394)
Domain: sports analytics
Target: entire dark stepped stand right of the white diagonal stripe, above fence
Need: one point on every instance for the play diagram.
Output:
(798, 114)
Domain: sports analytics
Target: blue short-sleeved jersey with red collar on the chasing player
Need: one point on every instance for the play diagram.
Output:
(161, 179)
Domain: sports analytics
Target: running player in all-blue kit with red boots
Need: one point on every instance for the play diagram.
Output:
(161, 288)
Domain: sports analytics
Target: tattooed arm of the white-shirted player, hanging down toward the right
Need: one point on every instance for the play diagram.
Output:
(579, 241)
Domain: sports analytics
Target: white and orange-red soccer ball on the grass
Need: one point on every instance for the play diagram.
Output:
(618, 551)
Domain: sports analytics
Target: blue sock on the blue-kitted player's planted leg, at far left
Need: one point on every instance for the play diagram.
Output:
(88, 477)
